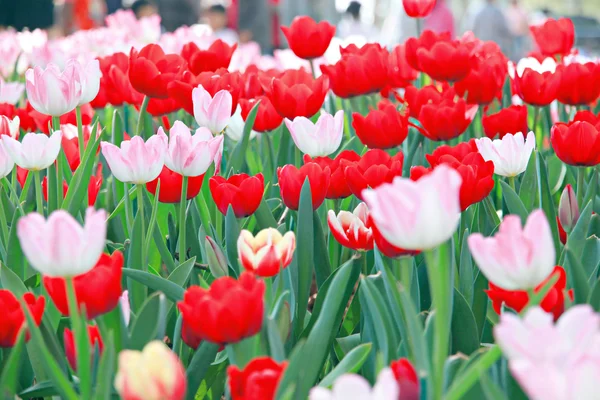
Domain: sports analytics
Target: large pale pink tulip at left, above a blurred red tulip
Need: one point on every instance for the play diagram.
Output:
(60, 246)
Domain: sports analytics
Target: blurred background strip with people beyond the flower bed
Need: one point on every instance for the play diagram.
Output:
(505, 21)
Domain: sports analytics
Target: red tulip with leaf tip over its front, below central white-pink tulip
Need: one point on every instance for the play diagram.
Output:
(291, 180)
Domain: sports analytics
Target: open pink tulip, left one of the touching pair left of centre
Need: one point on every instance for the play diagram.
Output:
(136, 161)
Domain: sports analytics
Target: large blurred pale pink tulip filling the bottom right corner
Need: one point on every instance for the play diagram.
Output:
(553, 361)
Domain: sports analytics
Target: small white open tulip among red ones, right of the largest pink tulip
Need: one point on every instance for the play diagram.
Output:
(510, 154)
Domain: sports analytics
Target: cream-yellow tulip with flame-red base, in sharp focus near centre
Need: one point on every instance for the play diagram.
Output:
(266, 253)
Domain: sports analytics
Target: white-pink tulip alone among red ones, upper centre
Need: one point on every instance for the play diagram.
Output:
(320, 139)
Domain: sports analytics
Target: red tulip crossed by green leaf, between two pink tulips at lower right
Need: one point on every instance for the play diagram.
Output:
(554, 301)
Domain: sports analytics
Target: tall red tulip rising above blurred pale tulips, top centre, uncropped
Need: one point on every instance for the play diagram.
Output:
(307, 38)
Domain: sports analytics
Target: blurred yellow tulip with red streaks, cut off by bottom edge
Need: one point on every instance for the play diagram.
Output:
(155, 373)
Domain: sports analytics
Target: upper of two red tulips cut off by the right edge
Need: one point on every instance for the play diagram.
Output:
(579, 83)
